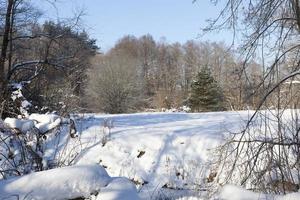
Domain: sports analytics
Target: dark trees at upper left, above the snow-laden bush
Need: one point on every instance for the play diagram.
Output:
(29, 50)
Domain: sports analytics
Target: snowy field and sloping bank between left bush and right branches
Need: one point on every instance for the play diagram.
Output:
(157, 150)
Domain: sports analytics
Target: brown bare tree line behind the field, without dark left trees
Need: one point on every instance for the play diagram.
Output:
(141, 73)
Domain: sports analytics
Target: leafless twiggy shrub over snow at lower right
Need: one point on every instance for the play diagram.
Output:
(265, 156)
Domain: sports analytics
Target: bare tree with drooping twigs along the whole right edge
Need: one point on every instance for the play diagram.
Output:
(265, 155)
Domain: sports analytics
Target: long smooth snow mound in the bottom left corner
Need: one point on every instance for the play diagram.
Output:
(62, 183)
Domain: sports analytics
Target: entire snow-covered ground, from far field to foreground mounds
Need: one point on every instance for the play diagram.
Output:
(166, 155)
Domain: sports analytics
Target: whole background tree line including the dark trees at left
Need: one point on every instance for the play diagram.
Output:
(56, 66)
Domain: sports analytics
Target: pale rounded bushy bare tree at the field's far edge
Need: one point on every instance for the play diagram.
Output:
(113, 85)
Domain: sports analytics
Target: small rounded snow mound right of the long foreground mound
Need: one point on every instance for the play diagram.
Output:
(119, 188)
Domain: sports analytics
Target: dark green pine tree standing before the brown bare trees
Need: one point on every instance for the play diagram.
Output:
(206, 95)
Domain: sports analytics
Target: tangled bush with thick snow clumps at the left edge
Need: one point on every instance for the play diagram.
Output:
(34, 144)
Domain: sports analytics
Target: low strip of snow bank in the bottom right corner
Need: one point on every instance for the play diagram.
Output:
(232, 192)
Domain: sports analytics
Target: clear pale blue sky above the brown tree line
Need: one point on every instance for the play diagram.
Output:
(109, 20)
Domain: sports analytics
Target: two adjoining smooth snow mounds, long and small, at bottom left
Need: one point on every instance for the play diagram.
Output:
(68, 183)
